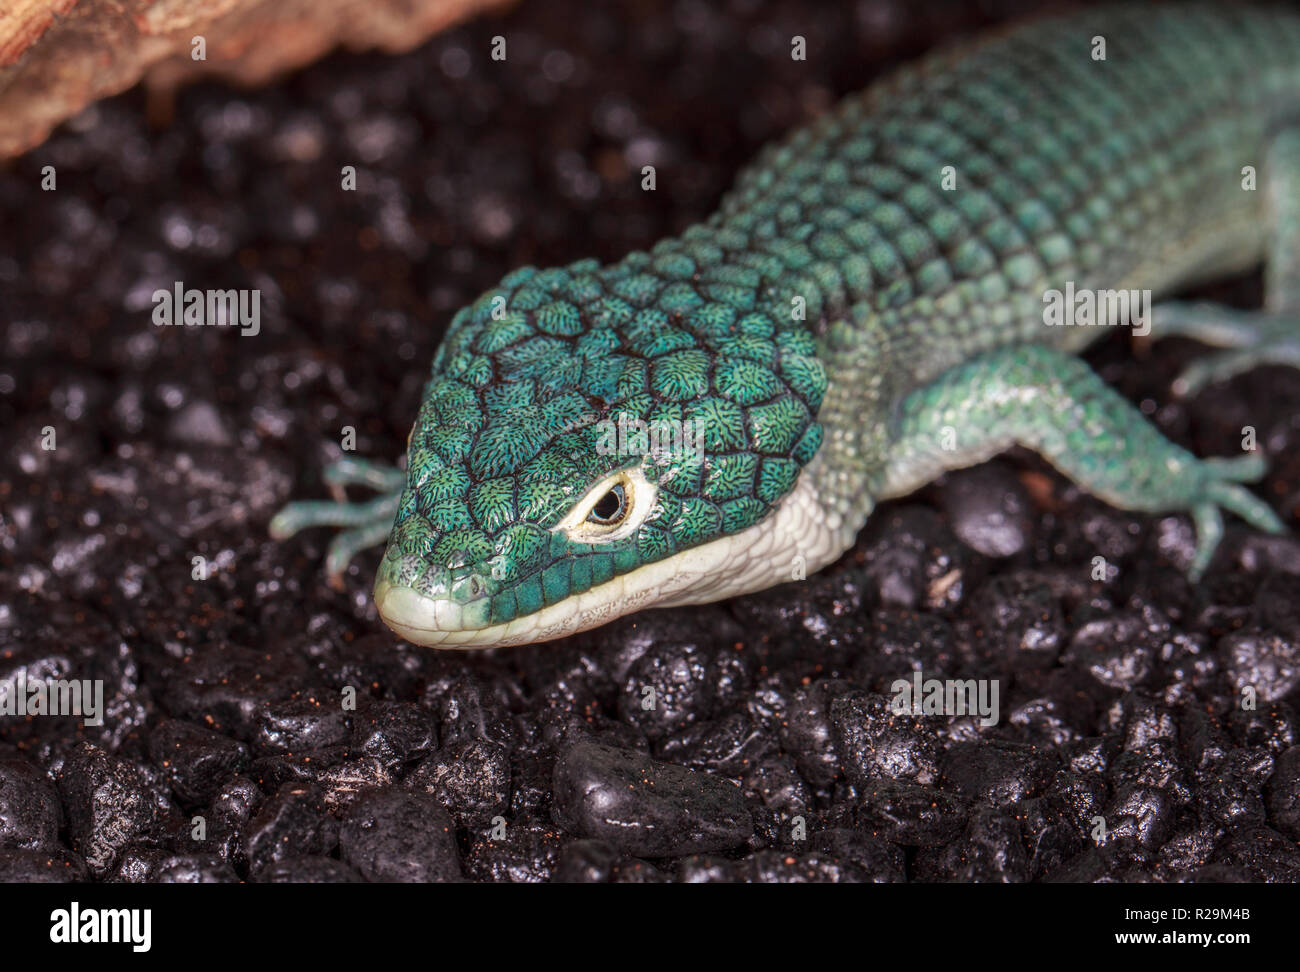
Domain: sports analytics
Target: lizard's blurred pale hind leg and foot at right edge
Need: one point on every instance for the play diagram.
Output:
(1254, 339)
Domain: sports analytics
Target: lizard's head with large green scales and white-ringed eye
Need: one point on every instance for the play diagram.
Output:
(592, 444)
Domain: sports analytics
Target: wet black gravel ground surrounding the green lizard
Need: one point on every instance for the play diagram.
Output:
(1120, 698)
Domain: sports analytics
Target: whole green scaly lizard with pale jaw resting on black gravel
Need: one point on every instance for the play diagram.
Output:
(864, 313)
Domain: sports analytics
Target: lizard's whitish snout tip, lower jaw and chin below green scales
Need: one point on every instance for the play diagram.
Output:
(800, 537)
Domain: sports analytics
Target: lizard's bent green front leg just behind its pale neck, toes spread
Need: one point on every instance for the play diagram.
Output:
(1055, 405)
